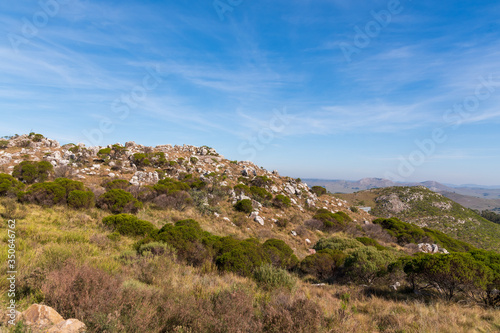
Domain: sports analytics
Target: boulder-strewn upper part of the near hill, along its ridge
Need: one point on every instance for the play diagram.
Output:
(144, 166)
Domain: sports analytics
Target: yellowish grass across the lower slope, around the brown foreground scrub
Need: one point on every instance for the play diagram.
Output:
(46, 237)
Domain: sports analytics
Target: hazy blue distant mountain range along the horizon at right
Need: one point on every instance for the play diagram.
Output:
(469, 195)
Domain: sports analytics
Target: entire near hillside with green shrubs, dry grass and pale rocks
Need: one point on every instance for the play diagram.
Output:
(128, 238)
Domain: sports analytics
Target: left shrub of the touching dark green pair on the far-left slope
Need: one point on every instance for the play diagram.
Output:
(45, 194)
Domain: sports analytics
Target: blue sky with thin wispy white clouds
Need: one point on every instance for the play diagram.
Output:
(407, 90)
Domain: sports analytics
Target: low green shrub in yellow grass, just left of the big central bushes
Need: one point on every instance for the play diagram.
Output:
(129, 225)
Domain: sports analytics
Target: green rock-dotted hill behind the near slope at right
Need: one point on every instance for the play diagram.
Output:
(425, 208)
